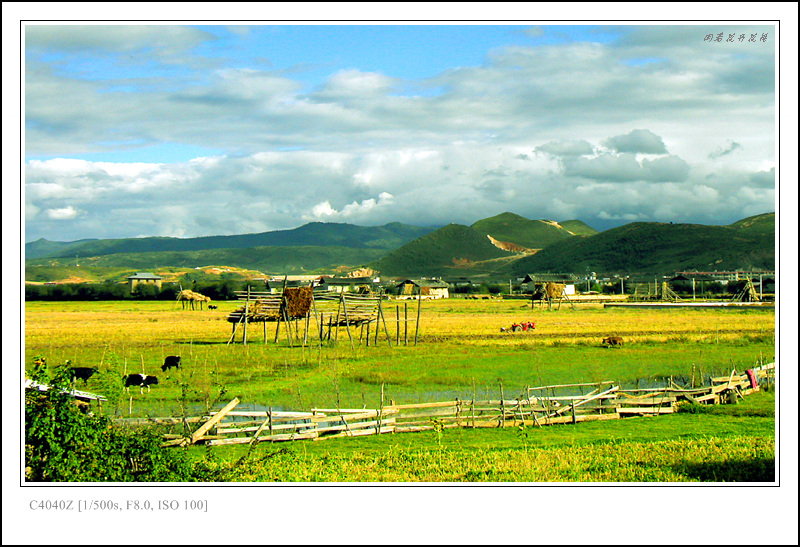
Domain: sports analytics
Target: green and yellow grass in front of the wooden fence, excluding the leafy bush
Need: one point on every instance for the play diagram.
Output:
(730, 444)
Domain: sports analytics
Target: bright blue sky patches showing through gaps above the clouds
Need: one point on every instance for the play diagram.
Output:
(309, 53)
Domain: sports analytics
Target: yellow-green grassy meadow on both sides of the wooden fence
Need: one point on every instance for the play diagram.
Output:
(460, 353)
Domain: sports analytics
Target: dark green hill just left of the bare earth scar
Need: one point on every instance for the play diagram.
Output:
(437, 253)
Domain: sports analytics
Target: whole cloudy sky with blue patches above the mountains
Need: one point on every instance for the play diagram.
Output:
(191, 130)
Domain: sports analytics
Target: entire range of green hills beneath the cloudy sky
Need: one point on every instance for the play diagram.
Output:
(497, 247)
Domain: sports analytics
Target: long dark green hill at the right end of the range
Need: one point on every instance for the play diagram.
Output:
(649, 247)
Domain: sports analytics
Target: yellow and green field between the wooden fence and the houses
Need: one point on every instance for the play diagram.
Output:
(460, 345)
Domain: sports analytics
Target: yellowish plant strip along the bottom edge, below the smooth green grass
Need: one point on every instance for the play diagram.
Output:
(737, 459)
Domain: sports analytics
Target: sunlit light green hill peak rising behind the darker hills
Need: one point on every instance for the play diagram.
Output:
(512, 228)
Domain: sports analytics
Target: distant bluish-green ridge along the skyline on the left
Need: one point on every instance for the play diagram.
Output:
(316, 234)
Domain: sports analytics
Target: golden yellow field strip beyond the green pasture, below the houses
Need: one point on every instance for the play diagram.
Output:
(66, 324)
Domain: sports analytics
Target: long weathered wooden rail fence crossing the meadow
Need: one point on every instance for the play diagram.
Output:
(537, 407)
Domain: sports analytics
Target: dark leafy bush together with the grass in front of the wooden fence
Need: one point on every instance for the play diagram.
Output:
(63, 444)
